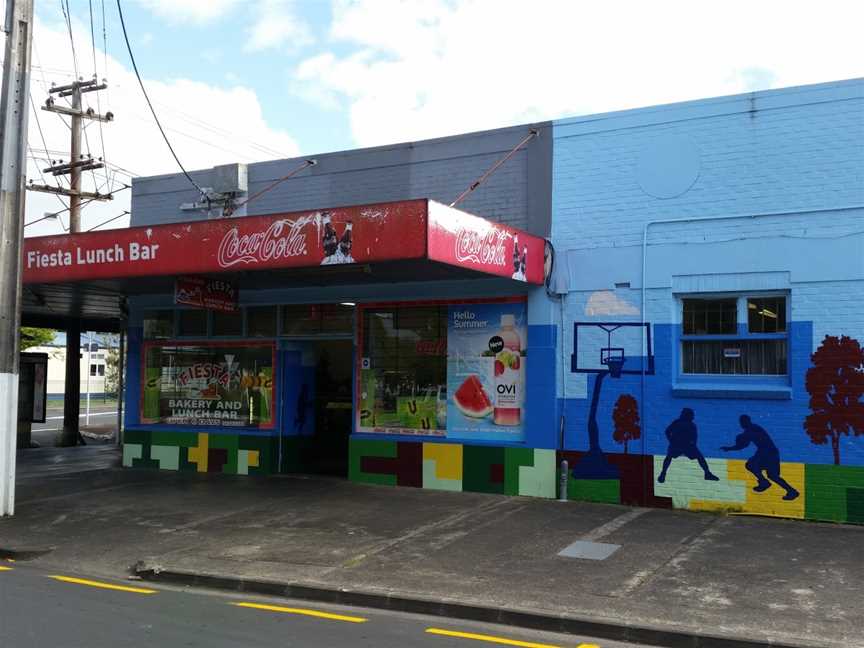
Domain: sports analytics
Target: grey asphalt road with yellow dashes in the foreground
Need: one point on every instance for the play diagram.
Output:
(40, 608)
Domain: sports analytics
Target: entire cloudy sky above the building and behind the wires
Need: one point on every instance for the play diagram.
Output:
(251, 80)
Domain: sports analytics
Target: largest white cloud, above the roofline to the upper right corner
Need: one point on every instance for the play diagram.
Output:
(422, 68)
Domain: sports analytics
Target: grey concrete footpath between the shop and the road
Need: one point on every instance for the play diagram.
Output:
(677, 578)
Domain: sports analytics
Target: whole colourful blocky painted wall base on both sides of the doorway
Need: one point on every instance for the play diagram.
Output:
(826, 492)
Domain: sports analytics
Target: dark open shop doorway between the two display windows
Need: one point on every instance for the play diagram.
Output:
(326, 451)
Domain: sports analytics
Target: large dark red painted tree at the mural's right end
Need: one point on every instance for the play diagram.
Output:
(835, 383)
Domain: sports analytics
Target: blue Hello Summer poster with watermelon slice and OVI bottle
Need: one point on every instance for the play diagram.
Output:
(486, 348)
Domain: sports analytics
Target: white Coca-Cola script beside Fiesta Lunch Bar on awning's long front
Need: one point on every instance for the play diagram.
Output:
(283, 239)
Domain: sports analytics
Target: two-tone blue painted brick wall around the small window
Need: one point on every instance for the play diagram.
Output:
(782, 174)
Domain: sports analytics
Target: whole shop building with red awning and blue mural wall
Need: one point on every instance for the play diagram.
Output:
(674, 340)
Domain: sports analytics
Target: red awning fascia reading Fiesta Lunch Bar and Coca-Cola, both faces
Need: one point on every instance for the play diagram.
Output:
(415, 229)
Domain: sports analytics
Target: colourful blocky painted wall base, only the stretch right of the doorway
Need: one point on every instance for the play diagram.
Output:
(834, 493)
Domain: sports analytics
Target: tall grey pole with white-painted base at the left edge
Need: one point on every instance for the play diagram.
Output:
(13, 143)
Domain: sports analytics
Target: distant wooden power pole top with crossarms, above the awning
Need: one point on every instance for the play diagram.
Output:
(78, 162)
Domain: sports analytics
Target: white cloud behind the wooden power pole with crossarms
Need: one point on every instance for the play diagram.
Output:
(207, 125)
